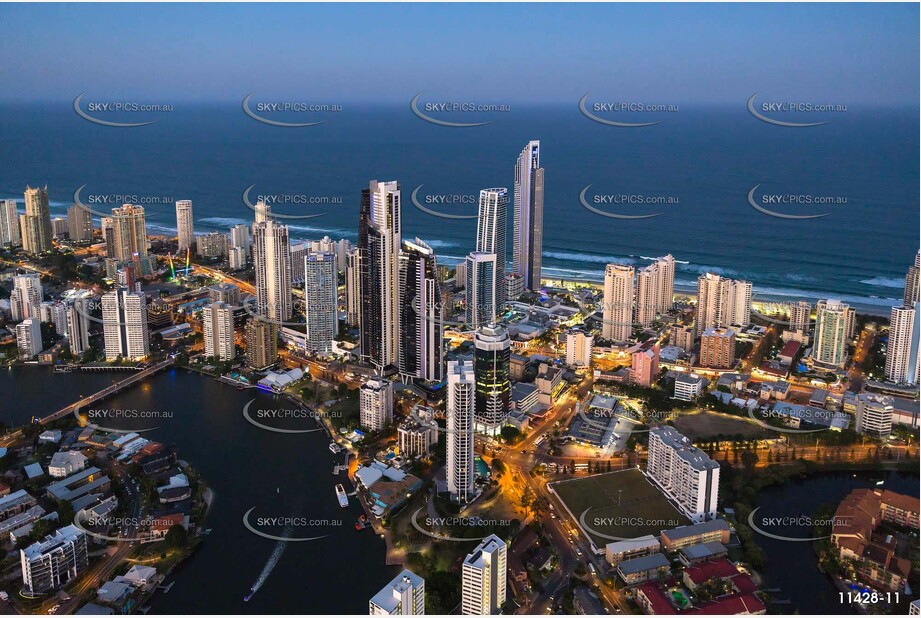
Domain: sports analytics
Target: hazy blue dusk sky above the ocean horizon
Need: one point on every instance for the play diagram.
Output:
(505, 53)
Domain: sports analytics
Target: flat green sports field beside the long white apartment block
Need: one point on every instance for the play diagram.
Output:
(623, 505)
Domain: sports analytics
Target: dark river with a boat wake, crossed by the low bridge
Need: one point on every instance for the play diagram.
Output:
(277, 475)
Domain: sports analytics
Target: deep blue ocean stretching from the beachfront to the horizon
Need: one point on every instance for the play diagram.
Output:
(707, 158)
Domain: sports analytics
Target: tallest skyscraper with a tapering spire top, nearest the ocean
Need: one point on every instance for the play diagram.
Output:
(529, 215)
